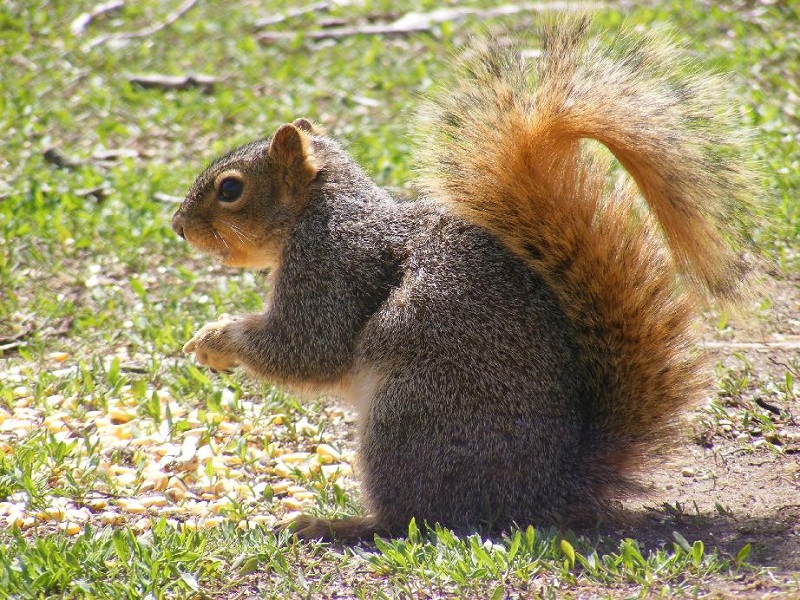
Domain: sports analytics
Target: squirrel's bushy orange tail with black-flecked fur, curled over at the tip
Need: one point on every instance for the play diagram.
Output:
(504, 149)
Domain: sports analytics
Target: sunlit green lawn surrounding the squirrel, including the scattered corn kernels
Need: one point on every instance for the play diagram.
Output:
(97, 296)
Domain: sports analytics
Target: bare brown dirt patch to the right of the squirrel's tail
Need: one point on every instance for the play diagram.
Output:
(730, 484)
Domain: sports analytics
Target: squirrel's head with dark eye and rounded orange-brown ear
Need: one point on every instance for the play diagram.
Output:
(241, 208)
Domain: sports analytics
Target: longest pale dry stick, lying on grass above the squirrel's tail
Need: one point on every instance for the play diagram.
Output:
(419, 22)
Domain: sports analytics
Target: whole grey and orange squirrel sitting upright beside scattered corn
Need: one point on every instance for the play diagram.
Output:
(519, 340)
